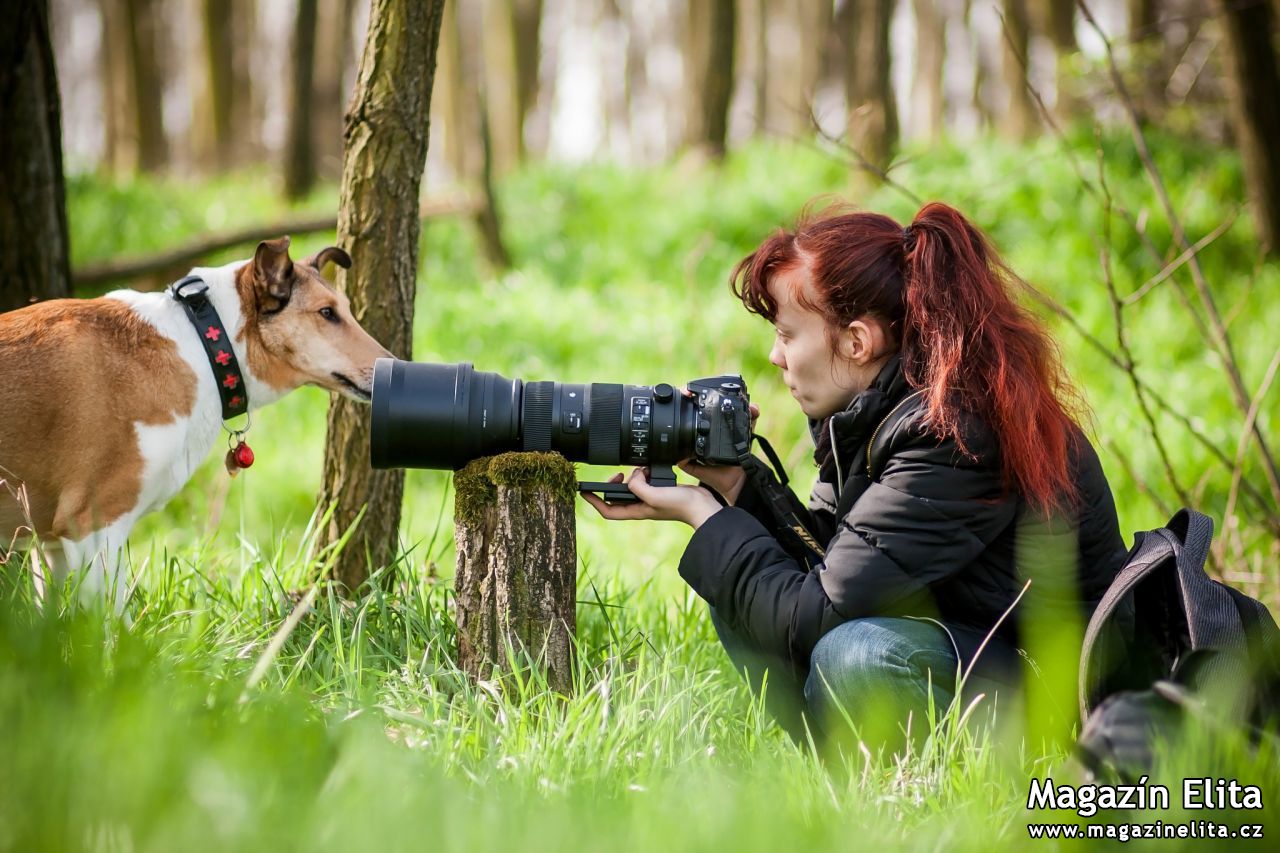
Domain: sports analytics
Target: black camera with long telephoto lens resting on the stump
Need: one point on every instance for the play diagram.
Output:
(445, 416)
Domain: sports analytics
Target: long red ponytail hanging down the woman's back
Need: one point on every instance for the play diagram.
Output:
(975, 349)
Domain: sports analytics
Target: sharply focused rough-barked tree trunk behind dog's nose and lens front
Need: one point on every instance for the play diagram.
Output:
(378, 225)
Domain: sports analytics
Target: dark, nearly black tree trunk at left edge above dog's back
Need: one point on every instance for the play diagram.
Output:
(34, 247)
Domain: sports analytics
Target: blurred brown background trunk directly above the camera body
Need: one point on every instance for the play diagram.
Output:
(710, 43)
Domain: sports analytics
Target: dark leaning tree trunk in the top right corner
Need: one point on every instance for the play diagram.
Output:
(1255, 84)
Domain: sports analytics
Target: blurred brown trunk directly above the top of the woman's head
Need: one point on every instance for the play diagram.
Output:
(868, 86)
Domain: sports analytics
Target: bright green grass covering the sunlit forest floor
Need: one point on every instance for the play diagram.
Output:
(184, 731)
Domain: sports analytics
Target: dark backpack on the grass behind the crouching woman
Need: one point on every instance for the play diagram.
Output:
(1168, 641)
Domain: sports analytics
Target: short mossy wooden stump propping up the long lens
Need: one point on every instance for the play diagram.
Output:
(518, 565)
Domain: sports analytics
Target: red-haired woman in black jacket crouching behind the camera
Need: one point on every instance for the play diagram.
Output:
(952, 471)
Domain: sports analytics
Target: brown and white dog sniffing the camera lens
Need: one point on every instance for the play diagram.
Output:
(109, 405)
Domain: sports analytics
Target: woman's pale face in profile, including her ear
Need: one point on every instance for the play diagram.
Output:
(821, 380)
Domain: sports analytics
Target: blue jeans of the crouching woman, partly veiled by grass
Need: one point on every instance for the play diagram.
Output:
(872, 678)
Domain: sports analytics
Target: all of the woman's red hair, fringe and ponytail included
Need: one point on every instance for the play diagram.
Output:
(945, 298)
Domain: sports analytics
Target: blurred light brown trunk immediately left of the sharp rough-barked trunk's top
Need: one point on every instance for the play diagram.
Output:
(335, 63)
